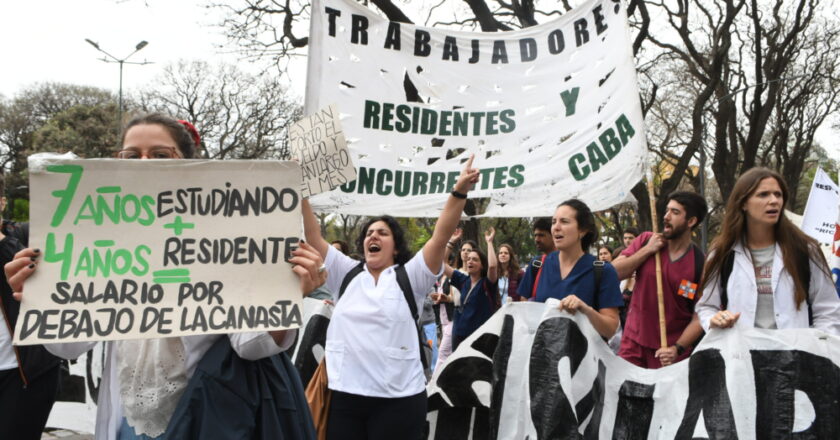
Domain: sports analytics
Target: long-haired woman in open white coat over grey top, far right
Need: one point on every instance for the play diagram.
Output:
(763, 271)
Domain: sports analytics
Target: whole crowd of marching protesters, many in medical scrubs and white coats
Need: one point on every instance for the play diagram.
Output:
(762, 272)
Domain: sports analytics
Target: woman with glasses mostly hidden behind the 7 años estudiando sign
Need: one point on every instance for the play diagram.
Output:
(143, 381)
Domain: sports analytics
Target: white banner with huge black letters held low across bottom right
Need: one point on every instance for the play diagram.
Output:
(532, 371)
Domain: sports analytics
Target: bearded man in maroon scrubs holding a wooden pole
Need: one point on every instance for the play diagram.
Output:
(682, 267)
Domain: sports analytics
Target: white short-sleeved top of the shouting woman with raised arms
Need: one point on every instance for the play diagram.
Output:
(372, 347)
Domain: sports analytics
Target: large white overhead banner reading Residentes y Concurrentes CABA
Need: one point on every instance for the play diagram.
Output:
(551, 112)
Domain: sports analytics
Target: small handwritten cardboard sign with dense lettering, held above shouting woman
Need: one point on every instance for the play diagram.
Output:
(319, 145)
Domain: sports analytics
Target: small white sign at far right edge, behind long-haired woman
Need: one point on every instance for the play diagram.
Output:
(822, 208)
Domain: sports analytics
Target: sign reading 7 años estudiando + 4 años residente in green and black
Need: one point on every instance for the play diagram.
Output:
(144, 249)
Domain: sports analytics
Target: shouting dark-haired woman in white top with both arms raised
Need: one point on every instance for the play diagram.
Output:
(373, 352)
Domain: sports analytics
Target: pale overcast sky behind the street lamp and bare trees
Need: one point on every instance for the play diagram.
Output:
(44, 40)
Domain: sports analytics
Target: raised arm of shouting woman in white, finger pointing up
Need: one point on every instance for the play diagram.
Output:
(435, 249)
